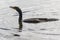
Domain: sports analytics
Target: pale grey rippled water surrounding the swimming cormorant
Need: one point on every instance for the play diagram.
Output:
(31, 9)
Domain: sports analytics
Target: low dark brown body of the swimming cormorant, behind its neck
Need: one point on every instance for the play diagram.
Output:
(38, 20)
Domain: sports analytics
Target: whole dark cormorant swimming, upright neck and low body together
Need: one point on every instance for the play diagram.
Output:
(31, 20)
